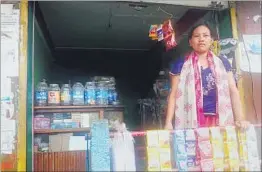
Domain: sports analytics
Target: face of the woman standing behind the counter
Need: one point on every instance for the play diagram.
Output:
(201, 40)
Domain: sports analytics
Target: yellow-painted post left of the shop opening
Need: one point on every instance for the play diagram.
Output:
(21, 131)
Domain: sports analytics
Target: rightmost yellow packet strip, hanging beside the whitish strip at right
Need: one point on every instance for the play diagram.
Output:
(231, 149)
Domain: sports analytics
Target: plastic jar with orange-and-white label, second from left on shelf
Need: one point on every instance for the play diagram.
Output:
(54, 95)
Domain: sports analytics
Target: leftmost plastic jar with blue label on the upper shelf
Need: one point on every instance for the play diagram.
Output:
(41, 94)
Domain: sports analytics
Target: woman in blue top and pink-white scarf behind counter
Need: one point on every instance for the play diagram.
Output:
(203, 90)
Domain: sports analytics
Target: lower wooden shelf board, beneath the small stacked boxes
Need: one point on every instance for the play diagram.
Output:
(54, 131)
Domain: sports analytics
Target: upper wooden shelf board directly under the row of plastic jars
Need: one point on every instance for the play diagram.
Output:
(84, 108)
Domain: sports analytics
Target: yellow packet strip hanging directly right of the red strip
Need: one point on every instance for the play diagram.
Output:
(217, 147)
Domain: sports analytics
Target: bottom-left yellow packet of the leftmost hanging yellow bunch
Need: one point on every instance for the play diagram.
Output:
(153, 162)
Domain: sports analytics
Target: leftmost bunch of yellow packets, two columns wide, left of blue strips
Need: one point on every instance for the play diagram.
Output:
(158, 151)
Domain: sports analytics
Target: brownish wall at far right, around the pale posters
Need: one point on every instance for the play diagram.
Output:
(245, 13)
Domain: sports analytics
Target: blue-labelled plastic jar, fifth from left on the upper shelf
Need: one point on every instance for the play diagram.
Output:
(90, 93)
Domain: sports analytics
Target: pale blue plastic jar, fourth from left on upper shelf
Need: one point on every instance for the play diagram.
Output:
(78, 94)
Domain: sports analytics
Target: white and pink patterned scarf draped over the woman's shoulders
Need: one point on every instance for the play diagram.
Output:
(189, 95)
